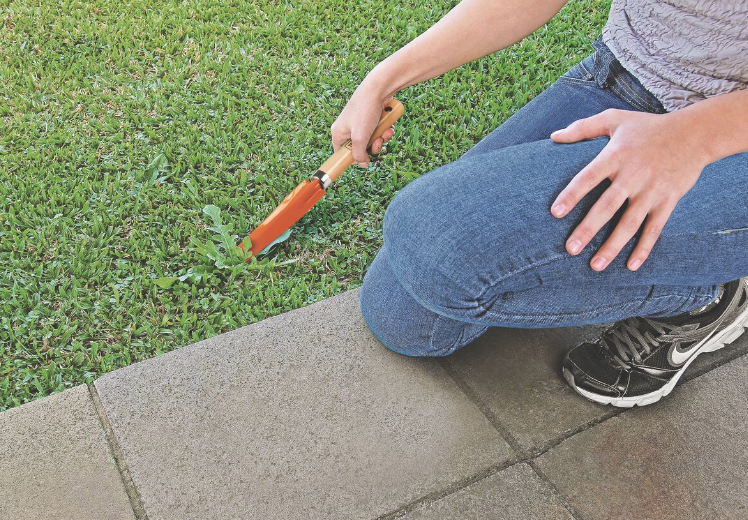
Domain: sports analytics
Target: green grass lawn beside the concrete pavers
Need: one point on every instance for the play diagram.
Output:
(122, 121)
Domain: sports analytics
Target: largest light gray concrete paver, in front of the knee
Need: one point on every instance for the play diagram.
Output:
(304, 415)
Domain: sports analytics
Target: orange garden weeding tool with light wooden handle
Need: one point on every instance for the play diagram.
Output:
(308, 192)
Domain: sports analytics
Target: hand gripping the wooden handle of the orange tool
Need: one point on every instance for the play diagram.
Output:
(358, 120)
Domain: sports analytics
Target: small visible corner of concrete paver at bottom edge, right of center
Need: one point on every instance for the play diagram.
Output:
(515, 493)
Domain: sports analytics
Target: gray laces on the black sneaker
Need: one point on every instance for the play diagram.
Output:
(630, 342)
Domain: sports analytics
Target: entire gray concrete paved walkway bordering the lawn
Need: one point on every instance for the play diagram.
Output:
(306, 415)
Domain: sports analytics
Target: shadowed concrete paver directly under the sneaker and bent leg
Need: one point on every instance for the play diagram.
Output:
(517, 374)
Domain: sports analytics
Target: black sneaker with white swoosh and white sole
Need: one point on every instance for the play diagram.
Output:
(637, 361)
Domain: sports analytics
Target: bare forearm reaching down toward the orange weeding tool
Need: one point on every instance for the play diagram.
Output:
(473, 29)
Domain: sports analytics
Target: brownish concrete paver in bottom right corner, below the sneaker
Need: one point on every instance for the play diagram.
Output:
(686, 457)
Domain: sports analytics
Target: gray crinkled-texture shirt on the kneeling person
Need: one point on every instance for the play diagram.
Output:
(682, 51)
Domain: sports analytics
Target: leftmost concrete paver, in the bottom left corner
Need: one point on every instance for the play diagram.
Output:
(56, 464)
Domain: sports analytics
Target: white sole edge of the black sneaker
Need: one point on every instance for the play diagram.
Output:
(716, 342)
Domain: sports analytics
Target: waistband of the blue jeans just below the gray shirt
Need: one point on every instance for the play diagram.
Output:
(610, 74)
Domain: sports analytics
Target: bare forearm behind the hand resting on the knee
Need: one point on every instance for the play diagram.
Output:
(718, 126)
